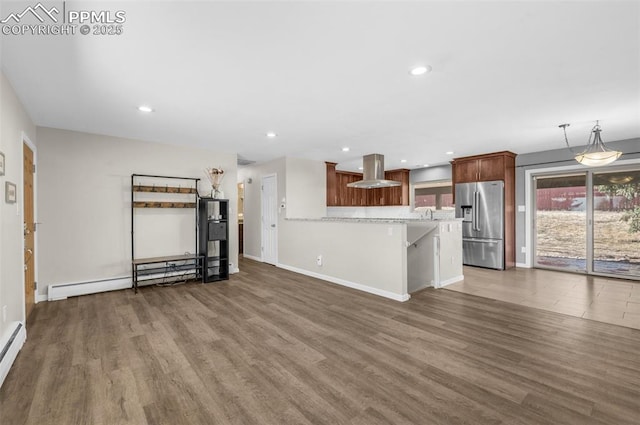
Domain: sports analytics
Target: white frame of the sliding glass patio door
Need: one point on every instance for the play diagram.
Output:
(530, 202)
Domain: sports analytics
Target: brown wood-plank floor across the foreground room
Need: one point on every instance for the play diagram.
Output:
(273, 347)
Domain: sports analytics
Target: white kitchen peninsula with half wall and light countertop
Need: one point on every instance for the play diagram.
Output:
(386, 257)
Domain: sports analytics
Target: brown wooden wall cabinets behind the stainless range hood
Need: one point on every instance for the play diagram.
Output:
(338, 194)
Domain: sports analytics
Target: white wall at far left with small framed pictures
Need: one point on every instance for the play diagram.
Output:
(13, 122)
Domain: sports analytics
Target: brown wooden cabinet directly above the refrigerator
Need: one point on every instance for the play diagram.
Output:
(479, 168)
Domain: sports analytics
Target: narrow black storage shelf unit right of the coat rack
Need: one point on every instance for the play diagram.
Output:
(213, 220)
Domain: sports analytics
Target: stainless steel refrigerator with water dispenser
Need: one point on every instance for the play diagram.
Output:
(481, 207)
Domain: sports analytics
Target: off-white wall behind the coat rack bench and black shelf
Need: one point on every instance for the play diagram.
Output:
(84, 203)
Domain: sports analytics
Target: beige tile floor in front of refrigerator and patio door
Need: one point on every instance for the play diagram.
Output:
(609, 300)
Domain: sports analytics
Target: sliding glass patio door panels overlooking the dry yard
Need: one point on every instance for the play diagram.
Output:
(589, 222)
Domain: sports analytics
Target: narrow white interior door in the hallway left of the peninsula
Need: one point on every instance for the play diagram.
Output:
(269, 220)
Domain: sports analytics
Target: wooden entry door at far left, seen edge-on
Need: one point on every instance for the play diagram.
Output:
(29, 229)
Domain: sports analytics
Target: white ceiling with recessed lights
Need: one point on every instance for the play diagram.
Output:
(324, 75)
